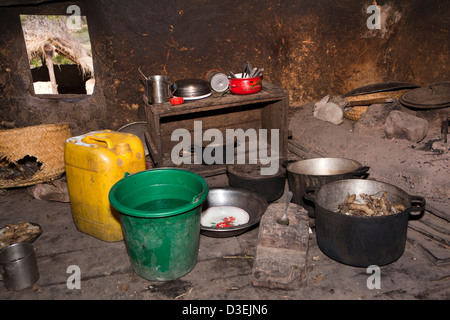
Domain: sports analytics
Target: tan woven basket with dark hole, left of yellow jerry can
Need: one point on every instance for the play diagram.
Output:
(43, 143)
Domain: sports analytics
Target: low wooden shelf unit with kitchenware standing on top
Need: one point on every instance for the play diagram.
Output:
(267, 109)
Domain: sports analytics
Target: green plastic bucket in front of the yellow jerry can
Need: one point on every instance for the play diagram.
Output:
(160, 216)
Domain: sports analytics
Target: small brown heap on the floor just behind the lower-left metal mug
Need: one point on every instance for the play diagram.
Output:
(15, 233)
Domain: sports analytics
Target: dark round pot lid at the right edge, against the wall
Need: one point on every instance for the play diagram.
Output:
(434, 96)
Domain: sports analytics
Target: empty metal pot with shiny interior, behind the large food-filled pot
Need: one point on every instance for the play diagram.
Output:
(316, 172)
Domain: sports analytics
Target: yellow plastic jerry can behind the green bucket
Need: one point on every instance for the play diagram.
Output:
(94, 162)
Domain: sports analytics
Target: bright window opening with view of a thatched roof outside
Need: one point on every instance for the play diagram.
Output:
(60, 54)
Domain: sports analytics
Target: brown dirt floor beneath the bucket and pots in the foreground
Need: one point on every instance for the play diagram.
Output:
(223, 270)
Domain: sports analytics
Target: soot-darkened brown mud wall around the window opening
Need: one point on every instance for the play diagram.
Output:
(311, 48)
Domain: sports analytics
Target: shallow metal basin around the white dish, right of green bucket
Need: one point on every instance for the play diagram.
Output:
(254, 204)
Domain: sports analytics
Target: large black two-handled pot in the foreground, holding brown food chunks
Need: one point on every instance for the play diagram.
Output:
(362, 241)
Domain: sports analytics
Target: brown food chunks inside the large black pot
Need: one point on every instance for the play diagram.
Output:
(369, 205)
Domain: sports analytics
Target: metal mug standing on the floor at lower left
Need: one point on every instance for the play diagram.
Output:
(18, 266)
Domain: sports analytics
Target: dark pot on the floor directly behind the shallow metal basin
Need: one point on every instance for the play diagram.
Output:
(249, 177)
